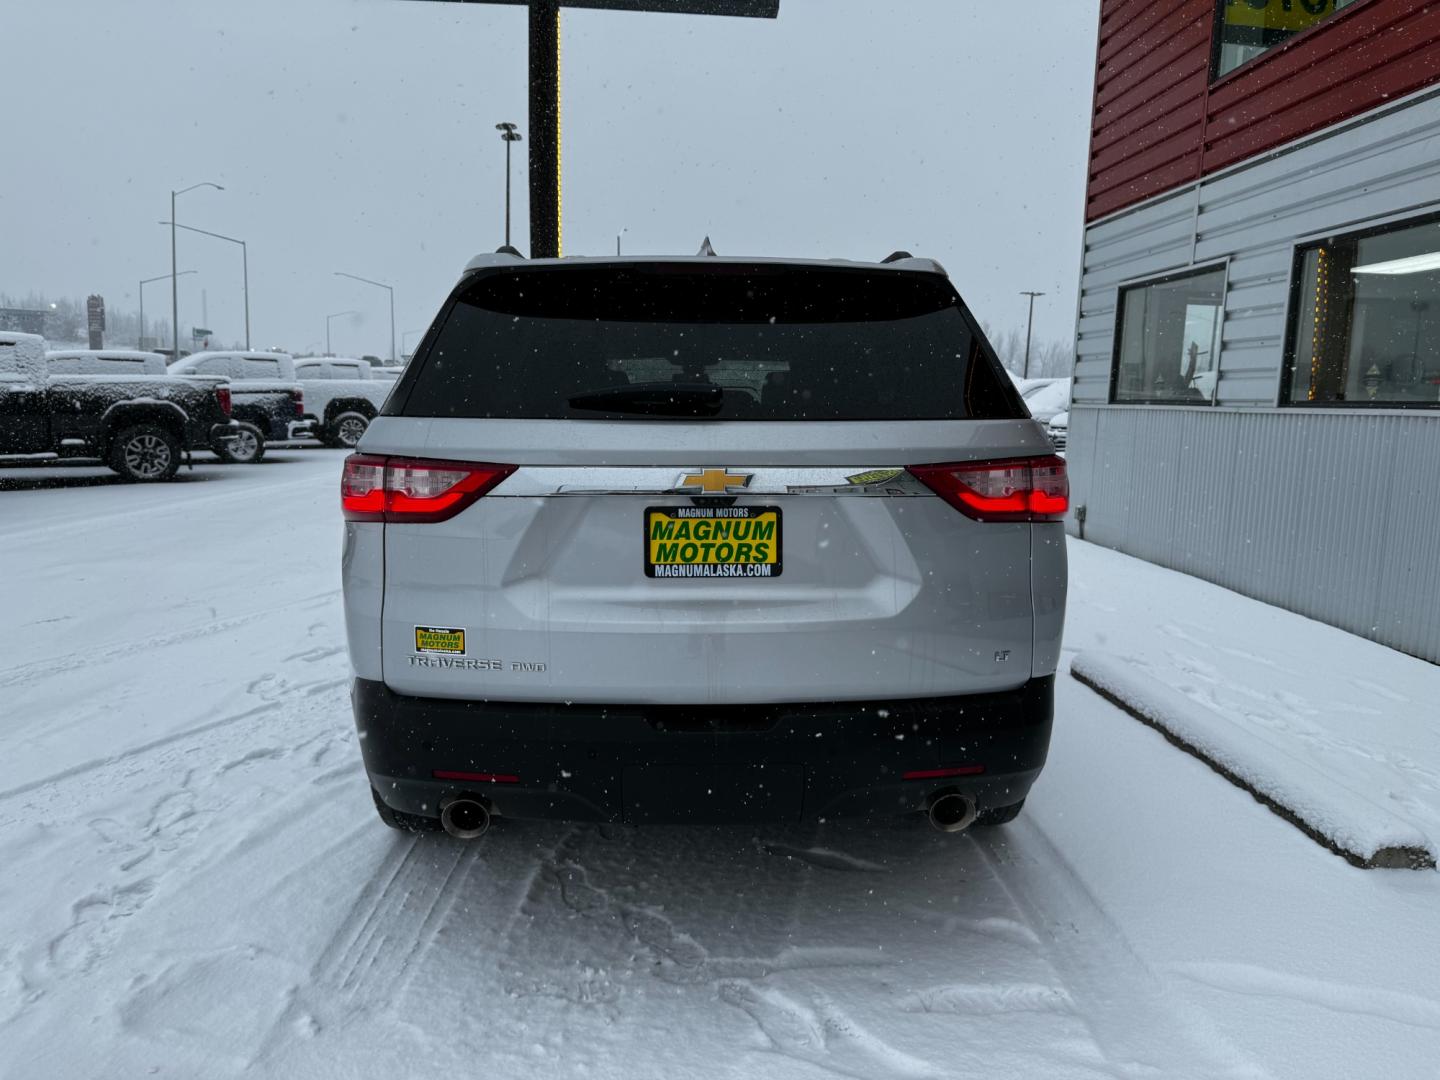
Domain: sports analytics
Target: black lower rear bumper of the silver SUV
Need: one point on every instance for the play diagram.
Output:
(703, 764)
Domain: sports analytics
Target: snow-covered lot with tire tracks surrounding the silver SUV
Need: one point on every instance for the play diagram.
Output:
(195, 883)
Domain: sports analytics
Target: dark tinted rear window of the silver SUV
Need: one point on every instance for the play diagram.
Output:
(781, 343)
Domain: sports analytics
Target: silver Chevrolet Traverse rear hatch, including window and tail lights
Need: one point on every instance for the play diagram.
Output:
(679, 483)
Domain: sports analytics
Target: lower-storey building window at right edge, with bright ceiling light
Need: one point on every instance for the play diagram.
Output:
(1367, 320)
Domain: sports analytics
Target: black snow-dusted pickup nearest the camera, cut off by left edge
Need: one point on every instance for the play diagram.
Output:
(140, 426)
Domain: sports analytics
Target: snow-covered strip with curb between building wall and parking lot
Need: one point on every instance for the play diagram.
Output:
(1336, 734)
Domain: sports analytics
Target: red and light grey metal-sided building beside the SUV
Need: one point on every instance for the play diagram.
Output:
(1258, 352)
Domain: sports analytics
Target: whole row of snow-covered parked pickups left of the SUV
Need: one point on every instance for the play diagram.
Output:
(139, 417)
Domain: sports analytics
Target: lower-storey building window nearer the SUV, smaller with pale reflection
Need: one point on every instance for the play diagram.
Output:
(1169, 346)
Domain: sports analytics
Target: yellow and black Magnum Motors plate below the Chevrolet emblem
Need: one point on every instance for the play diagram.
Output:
(712, 542)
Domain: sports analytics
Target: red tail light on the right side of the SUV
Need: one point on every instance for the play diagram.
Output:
(1012, 490)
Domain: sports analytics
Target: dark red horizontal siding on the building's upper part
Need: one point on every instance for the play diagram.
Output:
(1160, 123)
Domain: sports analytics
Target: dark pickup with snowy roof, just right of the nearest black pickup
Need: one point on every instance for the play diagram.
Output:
(269, 404)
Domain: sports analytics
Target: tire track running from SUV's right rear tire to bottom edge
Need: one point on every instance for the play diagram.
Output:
(1133, 1019)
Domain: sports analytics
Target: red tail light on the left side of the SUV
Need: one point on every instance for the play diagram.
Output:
(400, 490)
